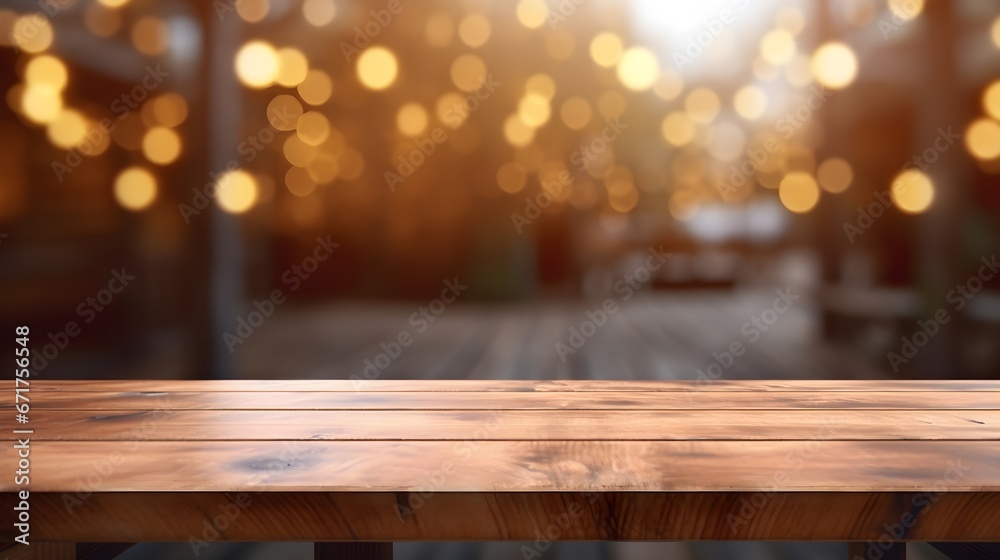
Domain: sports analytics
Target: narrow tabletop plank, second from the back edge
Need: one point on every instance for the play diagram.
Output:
(609, 400)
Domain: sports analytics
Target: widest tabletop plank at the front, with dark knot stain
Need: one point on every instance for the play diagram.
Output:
(511, 466)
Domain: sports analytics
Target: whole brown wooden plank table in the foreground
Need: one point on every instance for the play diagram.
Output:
(872, 463)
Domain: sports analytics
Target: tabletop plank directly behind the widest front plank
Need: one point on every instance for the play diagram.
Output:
(605, 425)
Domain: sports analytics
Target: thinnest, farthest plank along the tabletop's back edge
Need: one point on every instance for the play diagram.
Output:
(472, 385)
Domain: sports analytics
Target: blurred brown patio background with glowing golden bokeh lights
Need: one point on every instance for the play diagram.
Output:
(523, 189)
